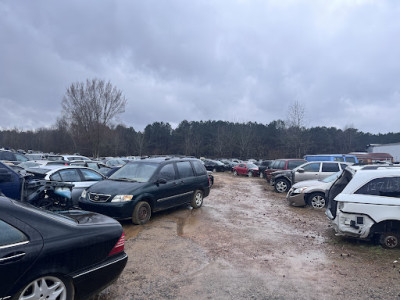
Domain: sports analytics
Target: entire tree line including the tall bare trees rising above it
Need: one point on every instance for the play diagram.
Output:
(87, 127)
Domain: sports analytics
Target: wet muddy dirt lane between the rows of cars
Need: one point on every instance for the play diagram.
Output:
(245, 242)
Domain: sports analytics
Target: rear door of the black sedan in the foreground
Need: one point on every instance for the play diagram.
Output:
(20, 245)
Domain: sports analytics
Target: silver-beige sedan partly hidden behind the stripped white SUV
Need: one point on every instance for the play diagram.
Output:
(311, 192)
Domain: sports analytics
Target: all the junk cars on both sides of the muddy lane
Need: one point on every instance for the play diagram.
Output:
(60, 238)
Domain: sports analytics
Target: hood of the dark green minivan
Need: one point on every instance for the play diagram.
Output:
(115, 187)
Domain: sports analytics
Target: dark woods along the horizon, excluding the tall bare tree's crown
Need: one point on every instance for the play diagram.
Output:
(200, 138)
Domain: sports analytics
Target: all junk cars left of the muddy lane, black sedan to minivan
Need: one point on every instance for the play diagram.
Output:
(59, 234)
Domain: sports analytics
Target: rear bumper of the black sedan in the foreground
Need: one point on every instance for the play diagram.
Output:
(93, 280)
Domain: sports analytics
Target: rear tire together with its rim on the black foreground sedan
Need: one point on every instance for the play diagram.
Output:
(47, 286)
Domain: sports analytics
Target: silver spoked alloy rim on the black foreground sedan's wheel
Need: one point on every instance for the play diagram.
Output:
(47, 287)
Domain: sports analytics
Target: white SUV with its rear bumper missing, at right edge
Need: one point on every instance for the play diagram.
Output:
(364, 202)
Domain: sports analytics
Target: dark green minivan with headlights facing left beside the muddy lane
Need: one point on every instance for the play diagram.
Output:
(145, 186)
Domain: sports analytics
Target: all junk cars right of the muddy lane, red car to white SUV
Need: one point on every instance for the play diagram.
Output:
(360, 192)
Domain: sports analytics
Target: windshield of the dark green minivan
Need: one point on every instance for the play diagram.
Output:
(135, 171)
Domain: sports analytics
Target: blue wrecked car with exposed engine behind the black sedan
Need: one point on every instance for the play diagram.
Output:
(20, 185)
